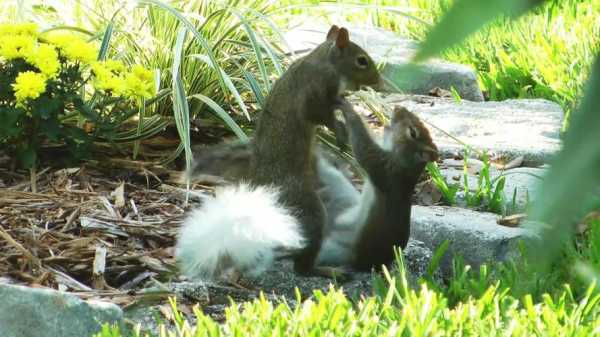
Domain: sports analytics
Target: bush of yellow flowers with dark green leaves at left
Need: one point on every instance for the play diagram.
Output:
(46, 79)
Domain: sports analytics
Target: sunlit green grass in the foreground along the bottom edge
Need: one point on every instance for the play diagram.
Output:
(503, 299)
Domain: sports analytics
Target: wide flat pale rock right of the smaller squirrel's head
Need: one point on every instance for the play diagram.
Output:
(511, 128)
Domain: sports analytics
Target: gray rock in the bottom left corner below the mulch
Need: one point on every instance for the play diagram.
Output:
(26, 312)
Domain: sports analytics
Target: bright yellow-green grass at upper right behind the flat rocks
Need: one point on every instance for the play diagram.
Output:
(547, 53)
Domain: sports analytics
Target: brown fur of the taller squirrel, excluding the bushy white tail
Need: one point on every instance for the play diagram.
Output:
(282, 150)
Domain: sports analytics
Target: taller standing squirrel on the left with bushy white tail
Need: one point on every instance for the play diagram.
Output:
(243, 227)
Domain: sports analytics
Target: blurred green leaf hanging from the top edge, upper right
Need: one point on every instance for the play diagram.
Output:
(464, 18)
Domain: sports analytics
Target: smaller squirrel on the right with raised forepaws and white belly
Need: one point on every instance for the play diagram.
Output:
(362, 230)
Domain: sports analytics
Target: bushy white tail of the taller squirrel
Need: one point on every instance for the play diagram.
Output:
(239, 229)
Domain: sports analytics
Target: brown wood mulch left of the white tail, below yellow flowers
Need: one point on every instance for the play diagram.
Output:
(91, 232)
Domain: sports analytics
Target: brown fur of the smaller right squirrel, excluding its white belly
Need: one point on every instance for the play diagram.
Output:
(393, 174)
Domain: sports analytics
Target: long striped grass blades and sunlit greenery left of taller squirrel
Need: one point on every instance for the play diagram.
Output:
(227, 59)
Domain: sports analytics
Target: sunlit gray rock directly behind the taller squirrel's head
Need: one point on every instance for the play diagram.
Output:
(394, 52)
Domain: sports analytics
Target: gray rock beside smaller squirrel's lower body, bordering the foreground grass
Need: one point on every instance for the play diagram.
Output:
(474, 235)
